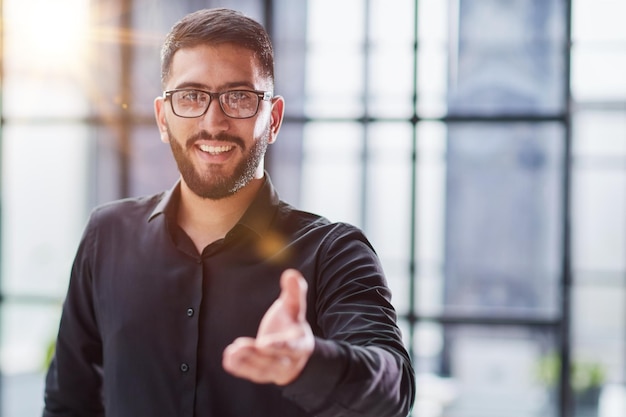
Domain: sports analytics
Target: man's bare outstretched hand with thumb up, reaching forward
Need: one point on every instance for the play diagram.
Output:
(284, 341)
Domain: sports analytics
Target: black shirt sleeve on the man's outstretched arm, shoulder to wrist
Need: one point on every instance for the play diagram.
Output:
(359, 366)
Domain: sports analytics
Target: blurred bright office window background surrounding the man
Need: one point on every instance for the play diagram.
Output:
(481, 144)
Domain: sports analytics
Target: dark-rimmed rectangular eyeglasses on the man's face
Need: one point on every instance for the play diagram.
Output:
(238, 104)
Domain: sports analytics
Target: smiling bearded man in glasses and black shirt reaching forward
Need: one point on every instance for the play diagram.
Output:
(217, 299)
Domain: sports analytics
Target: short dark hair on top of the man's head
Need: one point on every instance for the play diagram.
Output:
(218, 26)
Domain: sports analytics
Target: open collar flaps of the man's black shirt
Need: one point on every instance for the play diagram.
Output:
(258, 217)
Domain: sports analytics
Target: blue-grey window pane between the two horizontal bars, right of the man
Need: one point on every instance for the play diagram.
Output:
(503, 218)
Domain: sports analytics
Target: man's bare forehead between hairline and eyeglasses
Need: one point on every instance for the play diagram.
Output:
(214, 66)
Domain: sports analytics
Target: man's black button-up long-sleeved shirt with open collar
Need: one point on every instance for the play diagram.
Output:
(146, 318)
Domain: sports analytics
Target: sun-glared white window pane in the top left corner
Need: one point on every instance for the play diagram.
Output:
(44, 62)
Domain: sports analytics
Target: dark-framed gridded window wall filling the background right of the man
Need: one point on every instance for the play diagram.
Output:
(445, 130)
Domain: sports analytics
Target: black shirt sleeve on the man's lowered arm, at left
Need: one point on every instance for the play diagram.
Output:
(74, 378)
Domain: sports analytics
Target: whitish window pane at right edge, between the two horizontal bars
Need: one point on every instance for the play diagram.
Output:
(599, 191)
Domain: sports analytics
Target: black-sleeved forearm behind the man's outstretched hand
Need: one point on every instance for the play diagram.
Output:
(354, 381)
